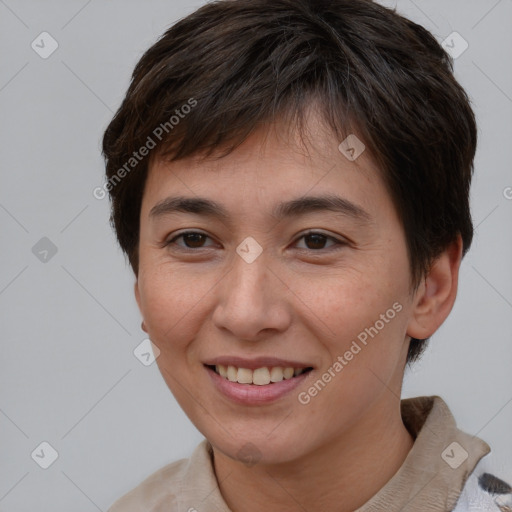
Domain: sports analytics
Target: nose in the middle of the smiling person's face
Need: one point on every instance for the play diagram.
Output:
(252, 301)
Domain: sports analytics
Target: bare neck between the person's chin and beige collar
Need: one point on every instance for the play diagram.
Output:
(341, 475)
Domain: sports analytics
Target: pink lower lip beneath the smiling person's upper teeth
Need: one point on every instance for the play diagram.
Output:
(252, 394)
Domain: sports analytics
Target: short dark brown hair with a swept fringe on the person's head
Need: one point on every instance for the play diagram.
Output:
(370, 71)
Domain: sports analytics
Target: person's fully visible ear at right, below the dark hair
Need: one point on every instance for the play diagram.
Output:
(434, 298)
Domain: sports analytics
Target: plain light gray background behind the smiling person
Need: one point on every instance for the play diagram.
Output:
(69, 324)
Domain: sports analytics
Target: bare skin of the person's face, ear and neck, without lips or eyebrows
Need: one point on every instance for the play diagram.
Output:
(294, 301)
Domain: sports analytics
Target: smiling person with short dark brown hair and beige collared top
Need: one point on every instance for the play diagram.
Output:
(290, 181)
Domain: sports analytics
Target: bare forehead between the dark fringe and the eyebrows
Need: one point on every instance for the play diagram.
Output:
(272, 164)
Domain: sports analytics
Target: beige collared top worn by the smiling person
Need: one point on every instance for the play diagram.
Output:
(431, 478)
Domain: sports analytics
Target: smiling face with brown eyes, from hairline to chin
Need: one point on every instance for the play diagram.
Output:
(274, 270)
